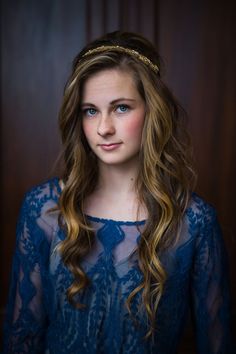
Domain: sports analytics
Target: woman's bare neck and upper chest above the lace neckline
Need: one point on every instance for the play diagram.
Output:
(115, 196)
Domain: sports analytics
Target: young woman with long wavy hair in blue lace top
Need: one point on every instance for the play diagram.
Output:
(111, 255)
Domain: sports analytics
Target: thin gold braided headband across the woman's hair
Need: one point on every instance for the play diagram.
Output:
(129, 51)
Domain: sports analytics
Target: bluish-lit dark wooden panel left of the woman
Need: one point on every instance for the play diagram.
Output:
(39, 42)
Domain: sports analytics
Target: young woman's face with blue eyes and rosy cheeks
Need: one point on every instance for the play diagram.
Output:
(113, 115)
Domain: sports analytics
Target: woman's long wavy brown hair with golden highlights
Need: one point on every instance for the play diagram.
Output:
(165, 178)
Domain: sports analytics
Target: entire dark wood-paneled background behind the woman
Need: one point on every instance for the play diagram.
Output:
(39, 40)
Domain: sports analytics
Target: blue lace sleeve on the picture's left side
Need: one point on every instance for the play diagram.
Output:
(25, 323)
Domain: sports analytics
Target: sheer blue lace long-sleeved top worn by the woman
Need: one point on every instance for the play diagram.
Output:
(40, 319)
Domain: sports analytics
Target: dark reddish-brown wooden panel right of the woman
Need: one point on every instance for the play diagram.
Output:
(197, 41)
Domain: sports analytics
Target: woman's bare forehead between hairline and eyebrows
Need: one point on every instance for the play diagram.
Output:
(109, 82)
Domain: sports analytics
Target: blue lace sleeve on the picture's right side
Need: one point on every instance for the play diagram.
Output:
(210, 288)
